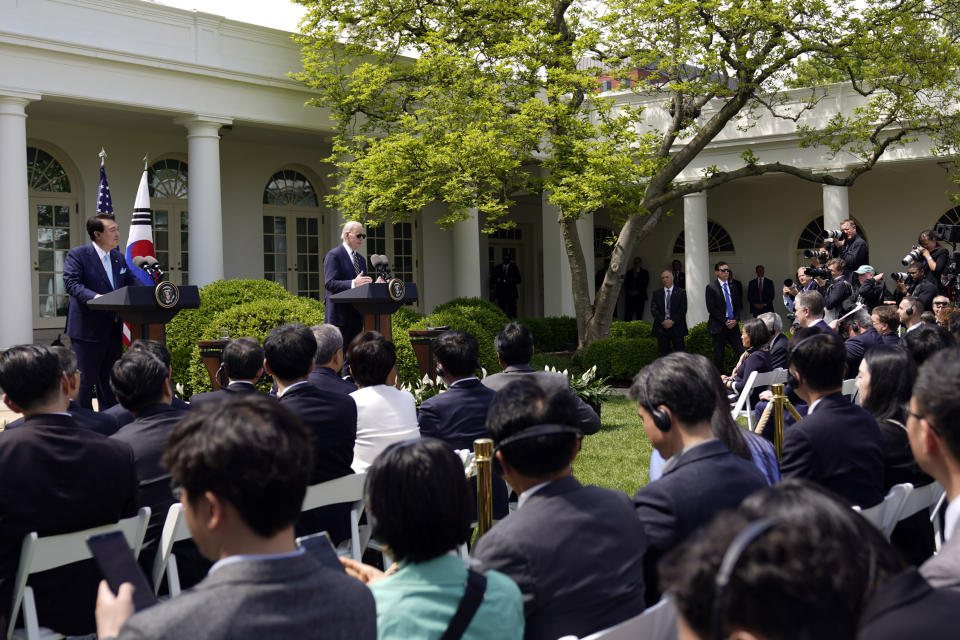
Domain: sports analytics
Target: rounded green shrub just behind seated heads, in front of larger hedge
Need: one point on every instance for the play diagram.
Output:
(254, 319)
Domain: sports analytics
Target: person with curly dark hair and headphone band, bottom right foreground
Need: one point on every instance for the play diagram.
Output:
(795, 562)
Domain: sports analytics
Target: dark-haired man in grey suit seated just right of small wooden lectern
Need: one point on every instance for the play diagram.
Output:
(514, 347)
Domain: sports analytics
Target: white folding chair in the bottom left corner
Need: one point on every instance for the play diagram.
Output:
(49, 552)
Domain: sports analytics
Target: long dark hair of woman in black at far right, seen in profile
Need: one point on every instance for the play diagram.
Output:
(892, 374)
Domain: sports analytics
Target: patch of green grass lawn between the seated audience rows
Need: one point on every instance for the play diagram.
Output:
(618, 456)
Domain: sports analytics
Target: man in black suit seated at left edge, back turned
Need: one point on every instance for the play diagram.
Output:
(55, 478)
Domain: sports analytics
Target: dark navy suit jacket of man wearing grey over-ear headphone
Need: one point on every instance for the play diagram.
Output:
(700, 483)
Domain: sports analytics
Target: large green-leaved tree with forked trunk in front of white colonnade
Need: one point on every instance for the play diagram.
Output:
(471, 101)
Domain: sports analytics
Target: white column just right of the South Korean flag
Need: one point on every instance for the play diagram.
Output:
(203, 198)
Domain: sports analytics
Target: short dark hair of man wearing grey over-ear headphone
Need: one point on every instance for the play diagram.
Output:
(678, 382)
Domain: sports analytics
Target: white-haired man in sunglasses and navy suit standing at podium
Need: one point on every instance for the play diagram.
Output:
(343, 269)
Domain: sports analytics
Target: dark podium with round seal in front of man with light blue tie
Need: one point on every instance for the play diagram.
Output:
(138, 307)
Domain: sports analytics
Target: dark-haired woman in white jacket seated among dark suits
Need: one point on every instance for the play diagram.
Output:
(385, 414)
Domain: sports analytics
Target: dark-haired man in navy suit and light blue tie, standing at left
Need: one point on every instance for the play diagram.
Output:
(89, 271)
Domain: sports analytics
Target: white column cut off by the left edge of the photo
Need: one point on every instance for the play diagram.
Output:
(16, 312)
